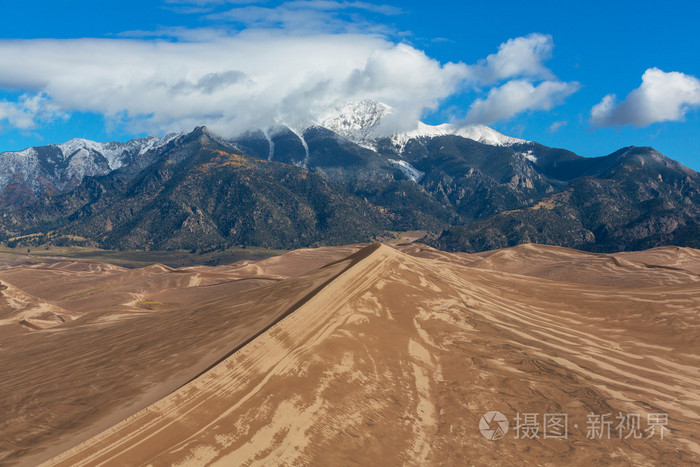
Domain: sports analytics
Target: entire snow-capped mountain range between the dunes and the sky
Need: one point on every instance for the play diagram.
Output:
(339, 181)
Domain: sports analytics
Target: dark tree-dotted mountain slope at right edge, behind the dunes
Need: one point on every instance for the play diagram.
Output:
(633, 199)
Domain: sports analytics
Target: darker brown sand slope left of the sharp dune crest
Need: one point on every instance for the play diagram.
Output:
(63, 385)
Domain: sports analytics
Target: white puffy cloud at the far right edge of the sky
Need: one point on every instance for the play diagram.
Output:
(661, 97)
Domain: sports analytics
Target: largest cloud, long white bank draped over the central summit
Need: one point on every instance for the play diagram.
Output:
(232, 84)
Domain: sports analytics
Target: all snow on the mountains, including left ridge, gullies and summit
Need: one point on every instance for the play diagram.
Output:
(57, 168)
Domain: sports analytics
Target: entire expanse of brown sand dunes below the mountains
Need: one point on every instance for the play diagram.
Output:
(374, 356)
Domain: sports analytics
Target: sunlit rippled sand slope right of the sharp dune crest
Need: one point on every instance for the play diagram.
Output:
(395, 358)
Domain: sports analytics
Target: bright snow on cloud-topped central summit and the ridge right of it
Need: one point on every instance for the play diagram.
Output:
(359, 122)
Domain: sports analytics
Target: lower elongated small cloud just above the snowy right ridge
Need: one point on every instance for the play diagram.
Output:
(518, 96)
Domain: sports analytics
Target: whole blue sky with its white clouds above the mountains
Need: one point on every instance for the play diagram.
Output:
(536, 70)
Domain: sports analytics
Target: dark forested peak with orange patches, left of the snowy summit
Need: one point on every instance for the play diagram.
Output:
(201, 193)
